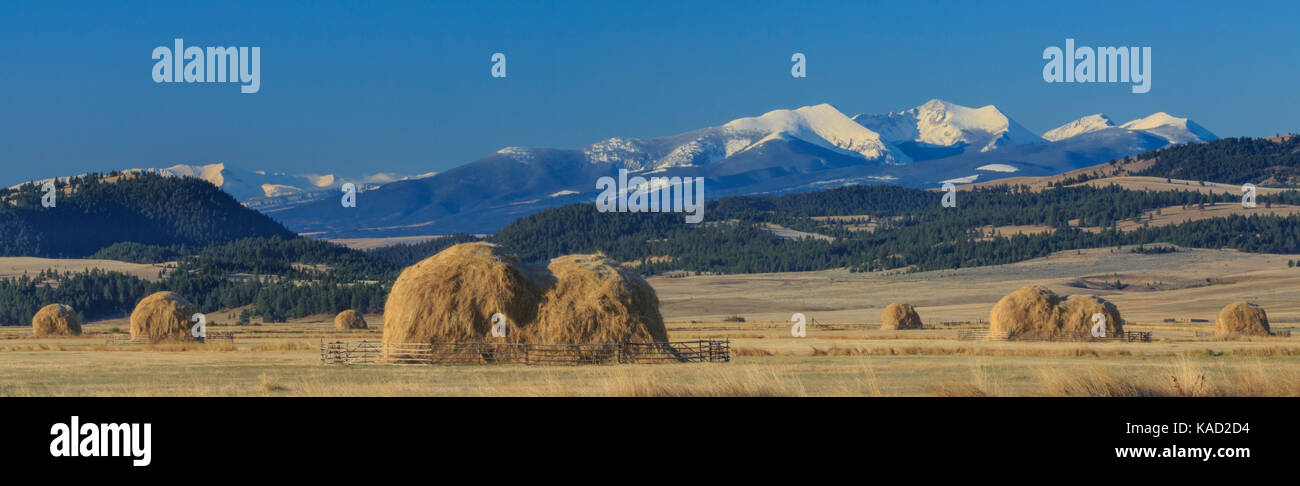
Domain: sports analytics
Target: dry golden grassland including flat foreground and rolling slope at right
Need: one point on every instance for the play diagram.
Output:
(1173, 296)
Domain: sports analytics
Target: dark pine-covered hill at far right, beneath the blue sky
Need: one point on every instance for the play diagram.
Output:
(1263, 162)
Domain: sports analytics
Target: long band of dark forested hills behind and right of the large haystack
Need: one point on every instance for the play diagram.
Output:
(873, 228)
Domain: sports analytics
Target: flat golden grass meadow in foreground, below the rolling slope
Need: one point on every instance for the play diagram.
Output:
(281, 361)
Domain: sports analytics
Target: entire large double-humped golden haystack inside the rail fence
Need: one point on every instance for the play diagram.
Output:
(450, 298)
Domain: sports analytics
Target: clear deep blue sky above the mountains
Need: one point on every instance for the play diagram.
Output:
(352, 88)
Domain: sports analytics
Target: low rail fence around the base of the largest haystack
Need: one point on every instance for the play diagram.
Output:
(378, 353)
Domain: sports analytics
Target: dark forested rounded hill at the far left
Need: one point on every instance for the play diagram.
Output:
(97, 211)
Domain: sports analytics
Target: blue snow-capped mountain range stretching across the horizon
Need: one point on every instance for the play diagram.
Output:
(778, 153)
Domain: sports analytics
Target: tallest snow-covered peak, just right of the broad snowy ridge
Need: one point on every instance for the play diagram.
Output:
(943, 124)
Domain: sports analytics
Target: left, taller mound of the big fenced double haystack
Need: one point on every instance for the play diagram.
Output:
(452, 297)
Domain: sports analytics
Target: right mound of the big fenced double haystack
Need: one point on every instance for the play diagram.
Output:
(593, 301)
